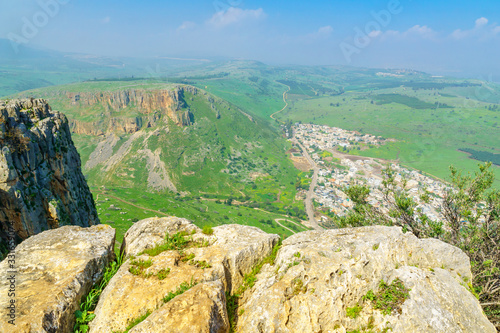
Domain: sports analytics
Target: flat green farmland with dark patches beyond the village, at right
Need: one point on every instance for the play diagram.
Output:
(432, 127)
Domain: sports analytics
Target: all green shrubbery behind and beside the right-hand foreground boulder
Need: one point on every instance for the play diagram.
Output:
(471, 210)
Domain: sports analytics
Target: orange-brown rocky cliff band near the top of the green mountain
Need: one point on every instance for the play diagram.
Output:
(152, 104)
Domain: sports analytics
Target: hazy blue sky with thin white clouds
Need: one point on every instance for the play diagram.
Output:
(444, 37)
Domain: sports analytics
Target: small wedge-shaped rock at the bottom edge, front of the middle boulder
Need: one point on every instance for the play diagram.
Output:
(202, 309)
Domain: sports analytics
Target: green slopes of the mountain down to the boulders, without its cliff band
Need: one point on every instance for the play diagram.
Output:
(225, 167)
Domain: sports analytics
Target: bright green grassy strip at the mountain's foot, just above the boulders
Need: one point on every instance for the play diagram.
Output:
(121, 207)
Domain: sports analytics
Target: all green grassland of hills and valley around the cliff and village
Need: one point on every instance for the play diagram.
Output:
(241, 160)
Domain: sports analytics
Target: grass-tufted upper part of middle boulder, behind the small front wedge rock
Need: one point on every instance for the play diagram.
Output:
(233, 251)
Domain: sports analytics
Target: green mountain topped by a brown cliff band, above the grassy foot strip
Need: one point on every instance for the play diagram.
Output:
(165, 137)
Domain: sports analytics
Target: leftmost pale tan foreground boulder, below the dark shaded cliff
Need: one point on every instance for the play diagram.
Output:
(54, 270)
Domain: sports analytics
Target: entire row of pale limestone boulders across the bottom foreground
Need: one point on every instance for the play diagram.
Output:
(176, 278)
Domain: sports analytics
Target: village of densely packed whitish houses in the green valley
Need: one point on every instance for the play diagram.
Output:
(336, 170)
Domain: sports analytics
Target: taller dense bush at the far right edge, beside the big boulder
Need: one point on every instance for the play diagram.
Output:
(472, 212)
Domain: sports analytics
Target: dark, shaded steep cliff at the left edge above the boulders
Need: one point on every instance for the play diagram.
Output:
(41, 183)
